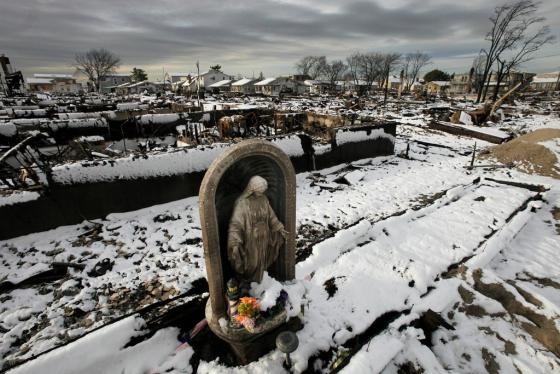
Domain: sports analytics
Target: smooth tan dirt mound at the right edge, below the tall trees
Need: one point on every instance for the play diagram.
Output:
(527, 154)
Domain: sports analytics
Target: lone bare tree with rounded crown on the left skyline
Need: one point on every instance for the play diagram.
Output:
(96, 64)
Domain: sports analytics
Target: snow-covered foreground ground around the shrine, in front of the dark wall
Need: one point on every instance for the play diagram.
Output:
(381, 243)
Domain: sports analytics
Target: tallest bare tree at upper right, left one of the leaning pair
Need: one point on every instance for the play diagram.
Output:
(508, 25)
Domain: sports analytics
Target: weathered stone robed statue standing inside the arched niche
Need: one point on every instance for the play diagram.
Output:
(255, 234)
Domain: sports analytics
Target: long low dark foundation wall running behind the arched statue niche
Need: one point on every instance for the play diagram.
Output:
(75, 200)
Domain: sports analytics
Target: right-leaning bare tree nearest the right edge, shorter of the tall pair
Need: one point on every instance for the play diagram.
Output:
(523, 52)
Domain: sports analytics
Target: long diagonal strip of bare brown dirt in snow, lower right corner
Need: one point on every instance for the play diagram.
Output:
(541, 328)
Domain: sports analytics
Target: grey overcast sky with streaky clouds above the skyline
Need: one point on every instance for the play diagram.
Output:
(249, 36)
